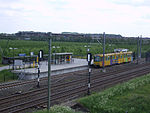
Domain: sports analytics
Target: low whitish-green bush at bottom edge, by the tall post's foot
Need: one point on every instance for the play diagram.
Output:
(58, 109)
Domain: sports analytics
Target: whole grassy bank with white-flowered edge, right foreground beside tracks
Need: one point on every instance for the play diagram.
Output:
(129, 97)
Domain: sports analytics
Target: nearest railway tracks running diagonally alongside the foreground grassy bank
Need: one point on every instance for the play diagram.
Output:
(69, 90)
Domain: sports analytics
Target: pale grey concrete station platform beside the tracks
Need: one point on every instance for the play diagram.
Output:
(32, 73)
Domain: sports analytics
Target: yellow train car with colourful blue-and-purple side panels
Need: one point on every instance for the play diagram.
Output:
(112, 58)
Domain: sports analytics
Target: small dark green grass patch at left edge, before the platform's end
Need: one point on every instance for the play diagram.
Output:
(7, 75)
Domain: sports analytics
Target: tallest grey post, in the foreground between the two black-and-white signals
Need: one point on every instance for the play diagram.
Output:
(49, 75)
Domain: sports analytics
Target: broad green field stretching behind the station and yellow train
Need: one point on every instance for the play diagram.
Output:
(76, 48)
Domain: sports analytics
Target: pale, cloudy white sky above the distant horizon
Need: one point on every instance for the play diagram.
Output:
(125, 17)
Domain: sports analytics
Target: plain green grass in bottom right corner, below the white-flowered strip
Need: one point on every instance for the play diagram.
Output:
(136, 101)
